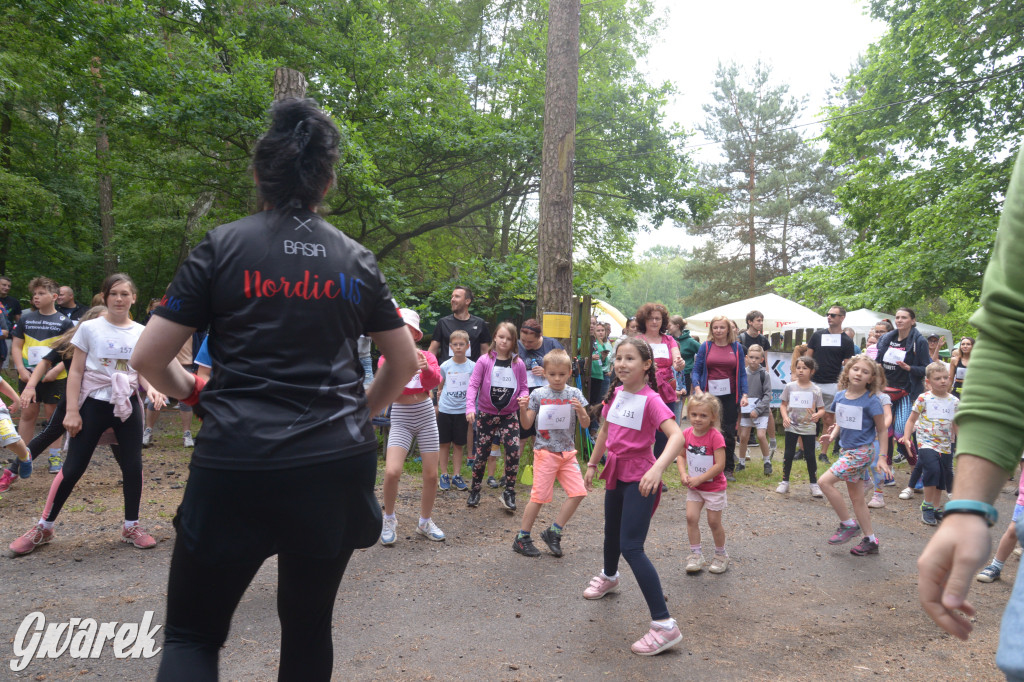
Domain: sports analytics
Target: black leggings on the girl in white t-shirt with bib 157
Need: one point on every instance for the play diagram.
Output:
(98, 416)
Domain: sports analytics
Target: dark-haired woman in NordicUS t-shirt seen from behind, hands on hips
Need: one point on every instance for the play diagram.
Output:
(286, 461)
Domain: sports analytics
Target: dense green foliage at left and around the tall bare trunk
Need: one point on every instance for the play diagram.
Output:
(441, 107)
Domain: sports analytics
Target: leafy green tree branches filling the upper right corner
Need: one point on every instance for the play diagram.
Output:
(928, 124)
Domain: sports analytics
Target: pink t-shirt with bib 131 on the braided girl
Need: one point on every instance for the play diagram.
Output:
(631, 435)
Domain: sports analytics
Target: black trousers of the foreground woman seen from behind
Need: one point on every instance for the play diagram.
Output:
(313, 518)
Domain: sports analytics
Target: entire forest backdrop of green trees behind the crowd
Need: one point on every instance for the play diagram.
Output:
(126, 130)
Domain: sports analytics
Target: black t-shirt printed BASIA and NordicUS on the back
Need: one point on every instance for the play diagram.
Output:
(286, 295)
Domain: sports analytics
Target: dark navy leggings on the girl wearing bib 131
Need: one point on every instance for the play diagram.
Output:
(627, 520)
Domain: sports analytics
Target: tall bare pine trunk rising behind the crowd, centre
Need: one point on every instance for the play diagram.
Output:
(554, 279)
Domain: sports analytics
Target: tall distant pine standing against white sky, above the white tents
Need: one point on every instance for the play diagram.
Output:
(775, 195)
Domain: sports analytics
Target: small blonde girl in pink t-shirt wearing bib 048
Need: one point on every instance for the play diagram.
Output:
(704, 475)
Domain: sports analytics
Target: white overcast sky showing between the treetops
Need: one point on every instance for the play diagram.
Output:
(805, 41)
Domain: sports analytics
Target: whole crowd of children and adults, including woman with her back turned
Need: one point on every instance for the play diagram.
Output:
(657, 397)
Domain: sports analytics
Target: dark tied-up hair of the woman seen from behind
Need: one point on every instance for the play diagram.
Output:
(294, 160)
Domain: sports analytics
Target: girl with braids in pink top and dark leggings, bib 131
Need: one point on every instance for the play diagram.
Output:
(633, 414)
